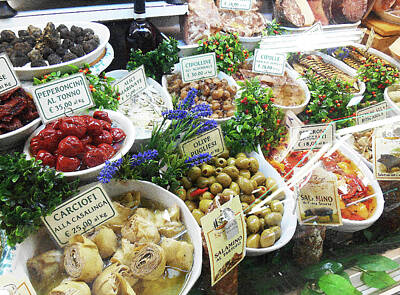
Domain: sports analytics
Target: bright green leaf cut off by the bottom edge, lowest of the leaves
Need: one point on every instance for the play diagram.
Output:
(333, 284)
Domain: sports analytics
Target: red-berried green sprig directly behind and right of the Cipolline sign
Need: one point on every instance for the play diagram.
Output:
(228, 50)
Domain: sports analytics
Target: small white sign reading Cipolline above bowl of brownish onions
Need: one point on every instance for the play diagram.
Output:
(198, 67)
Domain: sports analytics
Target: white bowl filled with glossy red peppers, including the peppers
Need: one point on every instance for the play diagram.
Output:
(79, 145)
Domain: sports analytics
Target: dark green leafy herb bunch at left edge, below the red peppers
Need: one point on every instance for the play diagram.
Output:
(28, 191)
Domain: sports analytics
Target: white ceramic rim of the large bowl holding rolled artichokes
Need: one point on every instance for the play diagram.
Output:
(150, 191)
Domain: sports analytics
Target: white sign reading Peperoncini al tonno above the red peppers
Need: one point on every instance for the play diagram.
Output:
(62, 96)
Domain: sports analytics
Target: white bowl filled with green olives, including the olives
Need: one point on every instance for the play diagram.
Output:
(252, 178)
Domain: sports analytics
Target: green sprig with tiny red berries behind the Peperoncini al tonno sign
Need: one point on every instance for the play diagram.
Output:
(104, 94)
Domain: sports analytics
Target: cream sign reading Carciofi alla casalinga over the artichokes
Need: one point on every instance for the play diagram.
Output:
(80, 214)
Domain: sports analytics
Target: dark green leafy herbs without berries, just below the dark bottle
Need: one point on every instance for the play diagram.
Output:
(157, 62)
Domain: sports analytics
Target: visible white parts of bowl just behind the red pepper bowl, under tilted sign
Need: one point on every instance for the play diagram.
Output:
(143, 135)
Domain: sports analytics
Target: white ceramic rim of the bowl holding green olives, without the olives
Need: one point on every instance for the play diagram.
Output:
(289, 220)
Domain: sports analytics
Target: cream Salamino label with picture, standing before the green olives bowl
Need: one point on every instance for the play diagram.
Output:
(225, 234)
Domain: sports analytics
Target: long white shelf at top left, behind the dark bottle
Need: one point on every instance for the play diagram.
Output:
(92, 13)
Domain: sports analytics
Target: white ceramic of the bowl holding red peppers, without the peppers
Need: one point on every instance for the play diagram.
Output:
(91, 173)
